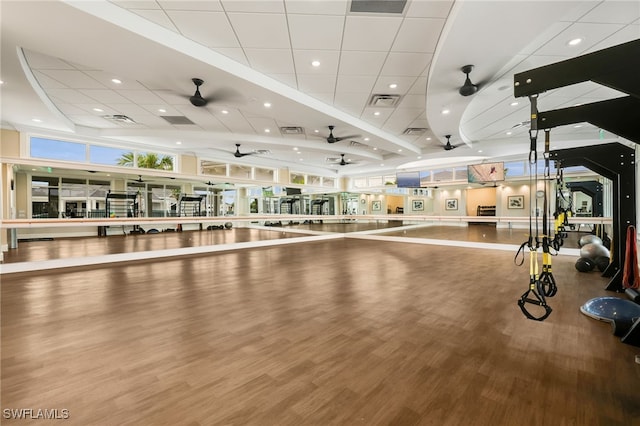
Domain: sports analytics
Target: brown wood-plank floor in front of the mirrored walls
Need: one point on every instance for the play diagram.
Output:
(340, 332)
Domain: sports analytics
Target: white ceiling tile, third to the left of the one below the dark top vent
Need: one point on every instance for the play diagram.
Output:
(208, 28)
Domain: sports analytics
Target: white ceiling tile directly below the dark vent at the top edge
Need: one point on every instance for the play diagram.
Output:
(370, 33)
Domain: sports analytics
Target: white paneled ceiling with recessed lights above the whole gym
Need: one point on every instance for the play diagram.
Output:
(383, 78)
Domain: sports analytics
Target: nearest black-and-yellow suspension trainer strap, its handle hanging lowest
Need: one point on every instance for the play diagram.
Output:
(535, 294)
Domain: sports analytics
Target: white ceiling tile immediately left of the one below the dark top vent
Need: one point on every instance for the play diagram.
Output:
(316, 32)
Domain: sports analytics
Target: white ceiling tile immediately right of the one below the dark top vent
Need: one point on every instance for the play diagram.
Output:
(418, 35)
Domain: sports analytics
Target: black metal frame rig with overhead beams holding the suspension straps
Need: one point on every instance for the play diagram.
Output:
(615, 67)
